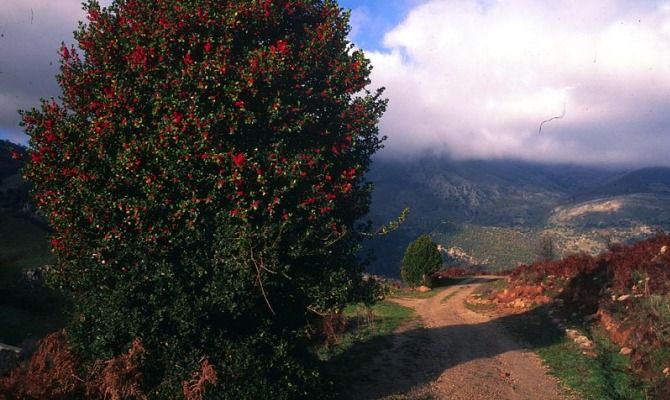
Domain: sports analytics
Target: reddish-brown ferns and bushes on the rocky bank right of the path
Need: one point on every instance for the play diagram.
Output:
(625, 290)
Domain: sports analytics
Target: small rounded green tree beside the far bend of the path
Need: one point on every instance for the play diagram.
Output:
(421, 261)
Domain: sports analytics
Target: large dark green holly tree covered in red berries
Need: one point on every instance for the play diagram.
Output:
(203, 174)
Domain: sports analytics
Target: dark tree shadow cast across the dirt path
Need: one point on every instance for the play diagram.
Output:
(392, 364)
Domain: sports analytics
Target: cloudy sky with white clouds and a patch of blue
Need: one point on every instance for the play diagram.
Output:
(464, 78)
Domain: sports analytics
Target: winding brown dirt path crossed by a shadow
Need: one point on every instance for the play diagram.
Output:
(457, 354)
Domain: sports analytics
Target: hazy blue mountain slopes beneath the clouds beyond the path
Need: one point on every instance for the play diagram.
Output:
(496, 211)
